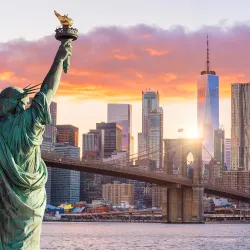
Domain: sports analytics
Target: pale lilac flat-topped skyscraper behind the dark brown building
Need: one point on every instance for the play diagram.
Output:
(122, 114)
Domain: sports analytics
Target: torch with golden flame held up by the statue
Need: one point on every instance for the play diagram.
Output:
(65, 32)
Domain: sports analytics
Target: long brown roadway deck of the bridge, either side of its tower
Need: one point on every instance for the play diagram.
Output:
(137, 174)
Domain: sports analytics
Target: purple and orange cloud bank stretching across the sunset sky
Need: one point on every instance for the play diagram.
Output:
(115, 63)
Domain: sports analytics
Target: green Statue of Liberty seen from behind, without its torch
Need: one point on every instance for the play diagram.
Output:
(23, 173)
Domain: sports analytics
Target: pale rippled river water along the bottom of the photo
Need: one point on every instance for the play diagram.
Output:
(127, 236)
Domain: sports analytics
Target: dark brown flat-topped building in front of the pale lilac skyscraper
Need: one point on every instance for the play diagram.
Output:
(112, 137)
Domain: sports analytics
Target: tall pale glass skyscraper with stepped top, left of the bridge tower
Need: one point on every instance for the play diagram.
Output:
(150, 141)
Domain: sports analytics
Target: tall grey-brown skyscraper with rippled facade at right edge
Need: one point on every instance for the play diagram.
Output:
(240, 130)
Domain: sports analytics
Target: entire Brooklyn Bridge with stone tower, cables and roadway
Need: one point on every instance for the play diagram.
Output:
(182, 199)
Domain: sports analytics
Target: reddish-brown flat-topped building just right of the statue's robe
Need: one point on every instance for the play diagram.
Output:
(67, 133)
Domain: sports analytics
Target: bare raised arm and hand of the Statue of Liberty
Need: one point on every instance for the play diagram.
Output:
(51, 81)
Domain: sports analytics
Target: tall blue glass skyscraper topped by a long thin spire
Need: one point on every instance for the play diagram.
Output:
(208, 107)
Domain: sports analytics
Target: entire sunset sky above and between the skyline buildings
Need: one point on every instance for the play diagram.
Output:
(125, 47)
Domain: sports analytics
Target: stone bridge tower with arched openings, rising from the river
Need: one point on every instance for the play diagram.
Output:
(183, 204)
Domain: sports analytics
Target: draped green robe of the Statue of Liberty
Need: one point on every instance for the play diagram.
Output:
(23, 175)
